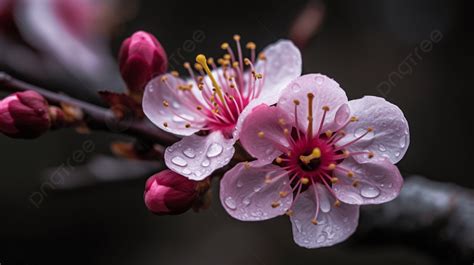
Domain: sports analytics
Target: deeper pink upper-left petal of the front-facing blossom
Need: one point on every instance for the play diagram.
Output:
(267, 121)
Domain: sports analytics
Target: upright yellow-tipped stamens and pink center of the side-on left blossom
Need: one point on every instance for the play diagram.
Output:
(224, 92)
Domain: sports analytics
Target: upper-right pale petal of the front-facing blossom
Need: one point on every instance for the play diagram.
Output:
(390, 137)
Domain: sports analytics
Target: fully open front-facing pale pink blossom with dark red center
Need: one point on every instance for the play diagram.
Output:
(318, 158)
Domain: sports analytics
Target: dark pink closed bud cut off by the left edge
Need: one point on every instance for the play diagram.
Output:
(24, 115)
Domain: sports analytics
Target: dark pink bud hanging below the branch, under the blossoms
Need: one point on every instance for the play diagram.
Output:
(167, 192)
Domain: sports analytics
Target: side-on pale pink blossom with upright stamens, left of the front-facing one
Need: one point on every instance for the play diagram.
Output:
(217, 103)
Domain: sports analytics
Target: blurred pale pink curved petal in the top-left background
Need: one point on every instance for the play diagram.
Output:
(42, 27)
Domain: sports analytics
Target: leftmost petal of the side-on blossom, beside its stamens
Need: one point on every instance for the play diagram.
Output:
(179, 111)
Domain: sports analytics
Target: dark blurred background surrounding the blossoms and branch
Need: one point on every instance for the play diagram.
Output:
(361, 44)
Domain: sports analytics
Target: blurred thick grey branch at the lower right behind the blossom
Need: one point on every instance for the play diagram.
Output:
(430, 216)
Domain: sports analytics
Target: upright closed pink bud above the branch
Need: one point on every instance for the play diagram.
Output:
(141, 58)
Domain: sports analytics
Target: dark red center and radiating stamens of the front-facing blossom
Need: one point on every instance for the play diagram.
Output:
(314, 157)
